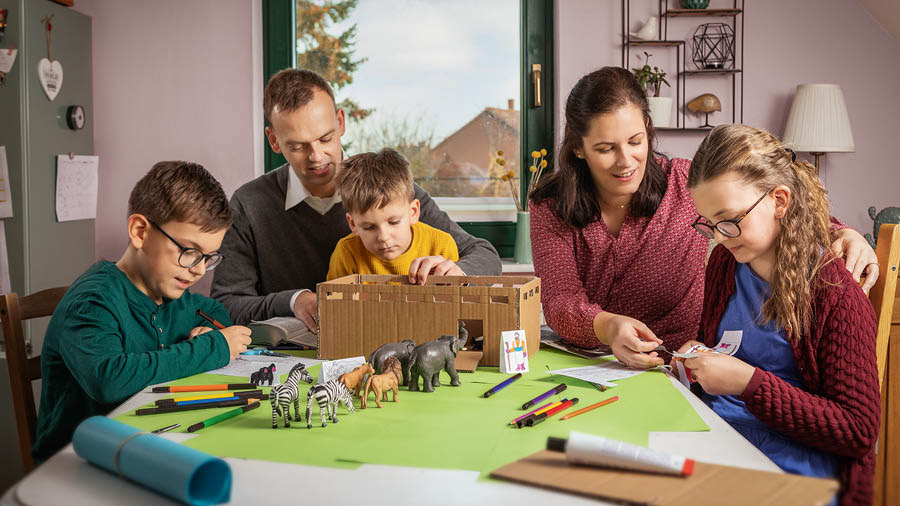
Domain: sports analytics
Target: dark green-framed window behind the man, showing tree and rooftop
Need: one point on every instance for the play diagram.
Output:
(443, 82)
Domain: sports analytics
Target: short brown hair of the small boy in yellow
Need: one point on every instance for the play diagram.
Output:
(370, 180)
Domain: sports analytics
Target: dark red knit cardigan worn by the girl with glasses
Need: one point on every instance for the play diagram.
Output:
(838, 410)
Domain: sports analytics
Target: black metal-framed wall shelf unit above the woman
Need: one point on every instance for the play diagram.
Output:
(664, 13)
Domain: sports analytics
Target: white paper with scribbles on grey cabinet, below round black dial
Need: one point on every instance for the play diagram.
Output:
(76, 187)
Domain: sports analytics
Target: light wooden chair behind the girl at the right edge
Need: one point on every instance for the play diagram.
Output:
(887, 309)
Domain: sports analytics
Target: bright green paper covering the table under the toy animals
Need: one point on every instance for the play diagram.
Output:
(452, 428)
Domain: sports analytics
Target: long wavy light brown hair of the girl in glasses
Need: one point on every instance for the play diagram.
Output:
(802, 247)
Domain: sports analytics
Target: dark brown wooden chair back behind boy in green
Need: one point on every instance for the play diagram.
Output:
(24, 370)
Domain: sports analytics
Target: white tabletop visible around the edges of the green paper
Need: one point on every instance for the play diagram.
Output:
(66, 479)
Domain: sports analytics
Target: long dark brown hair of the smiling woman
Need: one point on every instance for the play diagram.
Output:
(571, 188)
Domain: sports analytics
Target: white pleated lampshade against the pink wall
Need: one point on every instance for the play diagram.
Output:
(818, 121)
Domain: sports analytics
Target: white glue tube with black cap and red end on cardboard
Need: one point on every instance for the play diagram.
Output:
(591, 450)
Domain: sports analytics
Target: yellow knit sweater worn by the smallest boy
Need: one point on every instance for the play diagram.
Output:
(351, 257)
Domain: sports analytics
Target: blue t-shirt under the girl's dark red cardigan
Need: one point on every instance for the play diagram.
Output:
(765, 346)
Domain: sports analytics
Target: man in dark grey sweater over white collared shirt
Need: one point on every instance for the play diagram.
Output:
(287, 222)
